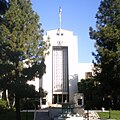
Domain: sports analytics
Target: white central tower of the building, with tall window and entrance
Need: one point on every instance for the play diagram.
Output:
(61, 77)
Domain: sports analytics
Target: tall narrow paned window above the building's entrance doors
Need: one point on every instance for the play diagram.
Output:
(60, 70)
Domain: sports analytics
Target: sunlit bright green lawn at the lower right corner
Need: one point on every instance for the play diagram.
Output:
(113, 115)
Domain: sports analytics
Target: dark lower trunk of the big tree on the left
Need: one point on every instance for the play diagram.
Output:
(17, 105)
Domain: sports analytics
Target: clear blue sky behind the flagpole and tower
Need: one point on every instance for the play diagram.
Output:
(77, 16)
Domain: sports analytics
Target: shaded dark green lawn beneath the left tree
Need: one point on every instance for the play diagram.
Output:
(12, 116)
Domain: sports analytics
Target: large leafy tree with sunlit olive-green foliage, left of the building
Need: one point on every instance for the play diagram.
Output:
(20, 40)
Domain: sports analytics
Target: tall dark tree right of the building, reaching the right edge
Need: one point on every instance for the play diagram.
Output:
(107, 55)
